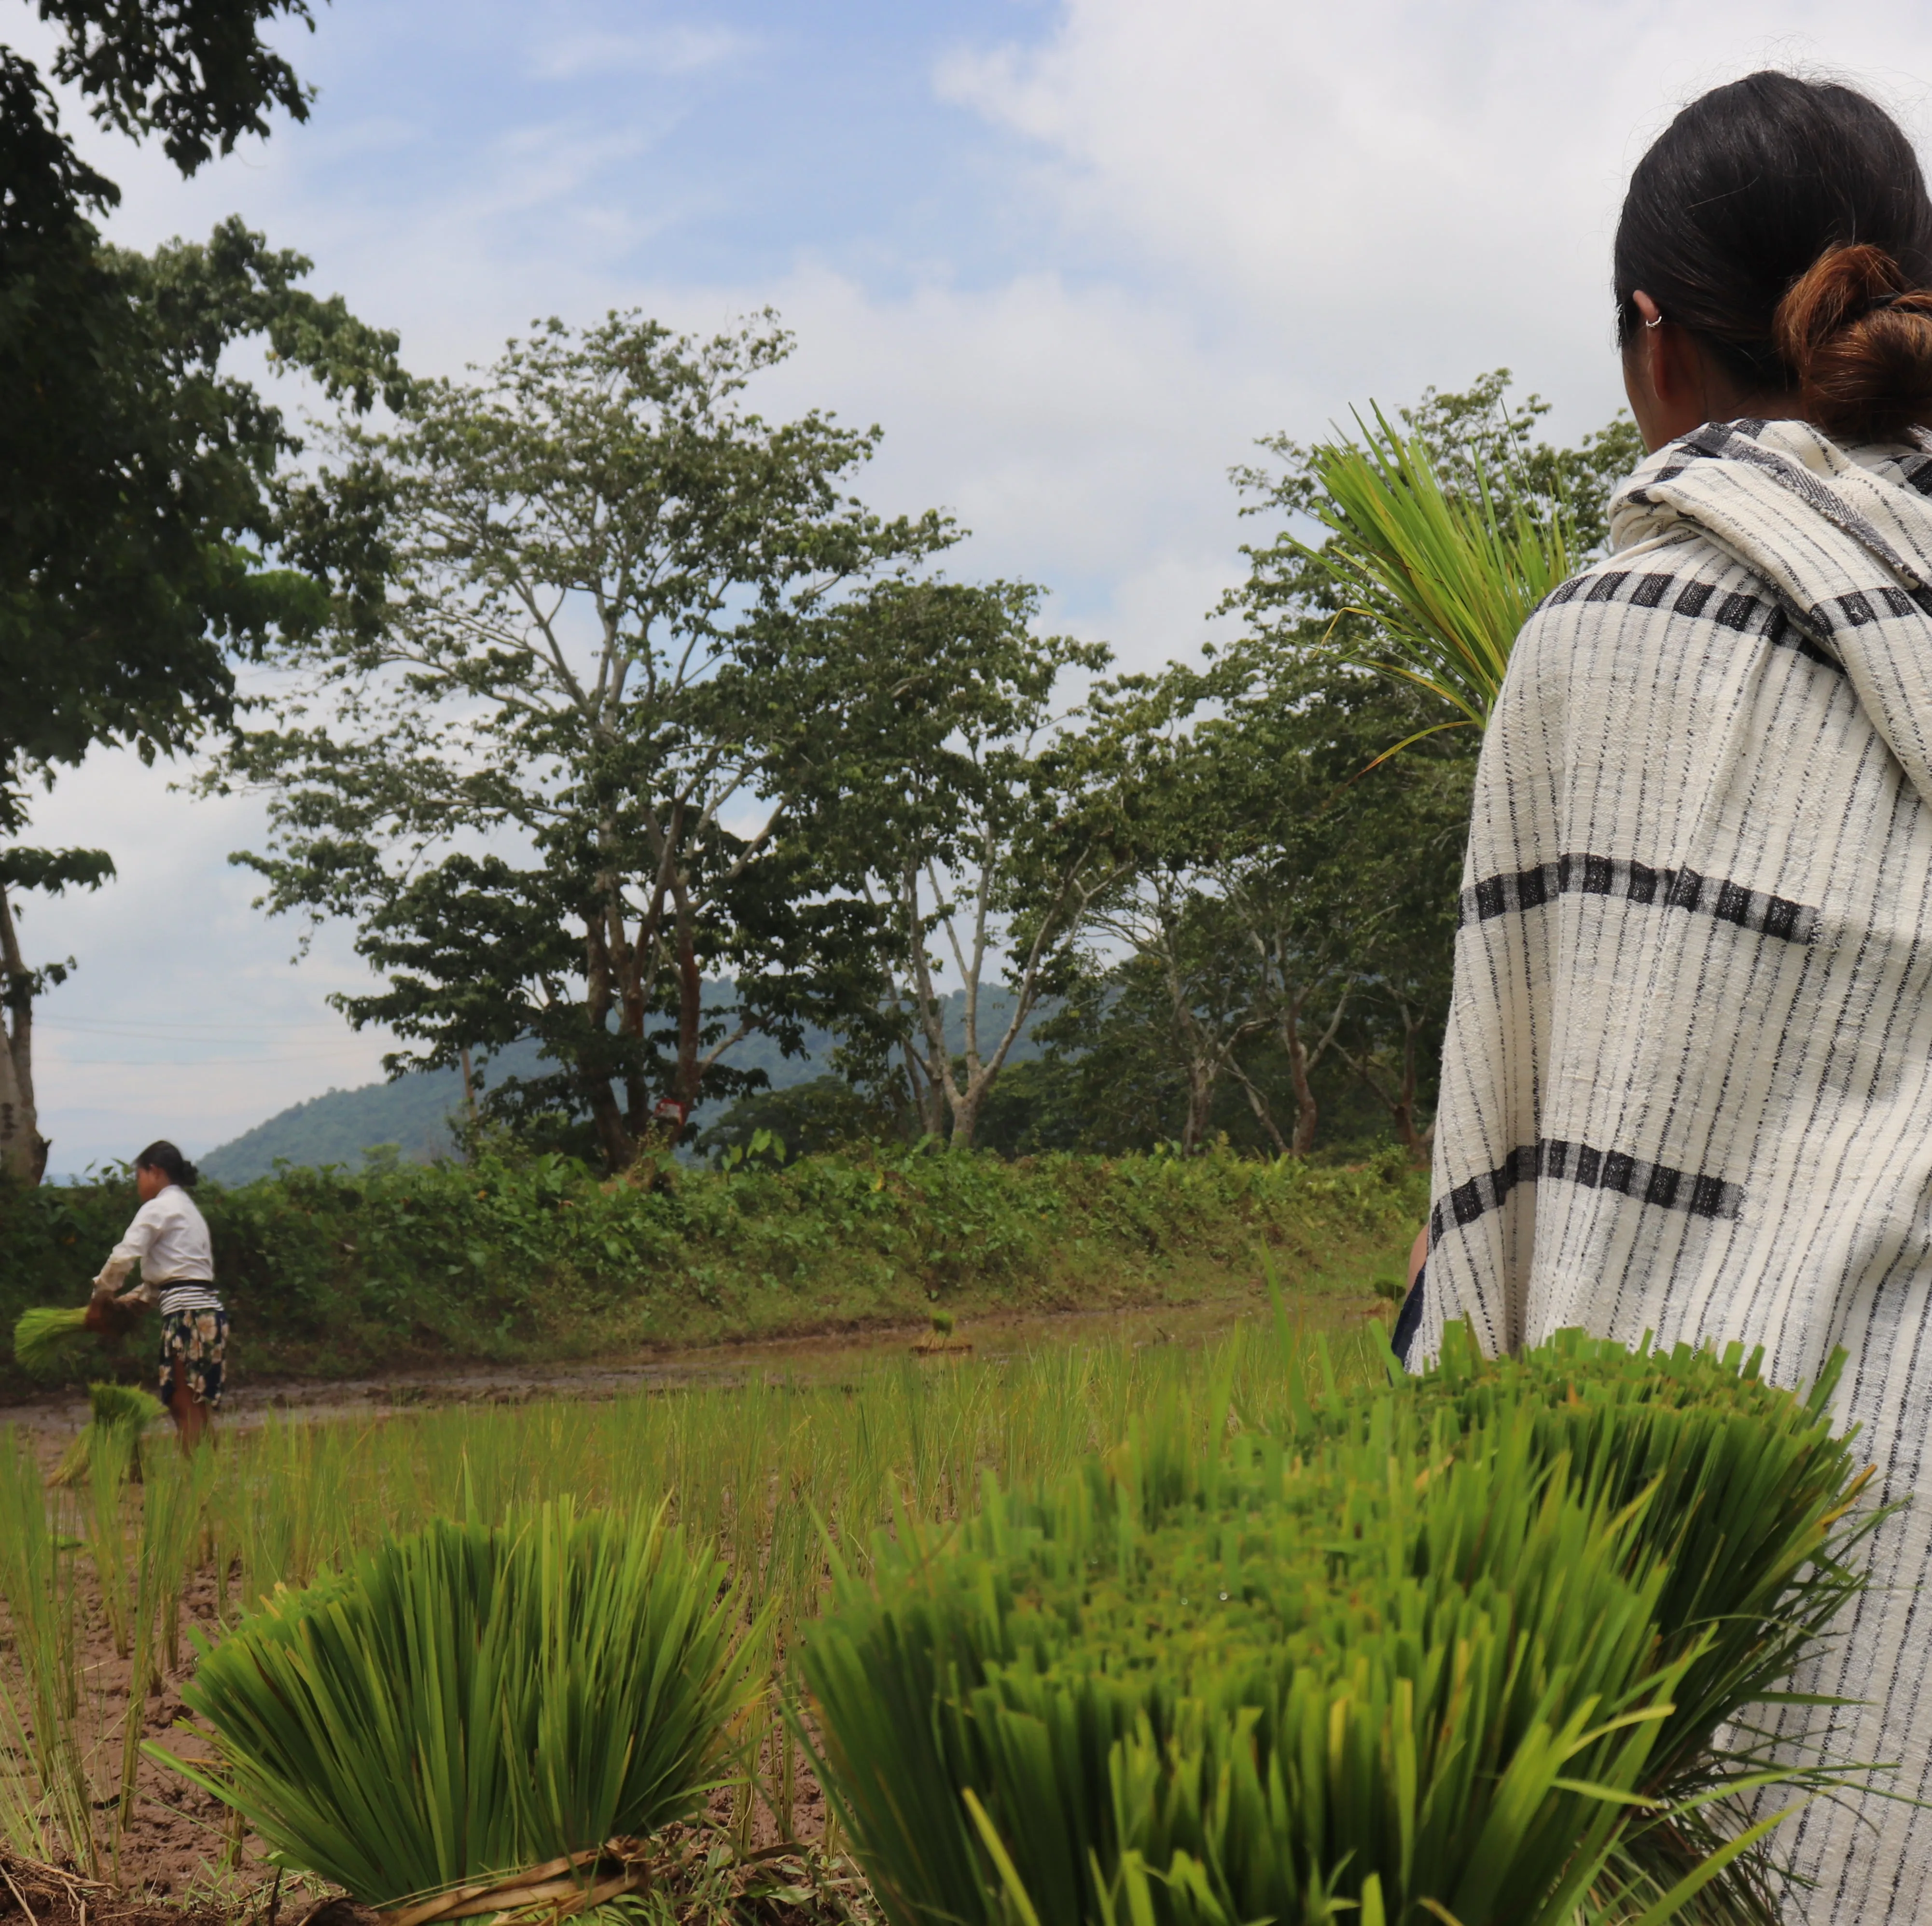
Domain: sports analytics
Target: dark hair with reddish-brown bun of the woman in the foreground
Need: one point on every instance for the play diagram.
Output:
(1786, 225)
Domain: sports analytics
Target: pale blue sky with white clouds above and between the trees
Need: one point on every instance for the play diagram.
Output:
(1075, 258)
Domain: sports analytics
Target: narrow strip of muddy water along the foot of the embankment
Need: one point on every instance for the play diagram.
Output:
(805, 1361)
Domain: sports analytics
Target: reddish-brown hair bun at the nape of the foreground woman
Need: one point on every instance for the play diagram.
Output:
(1858, 339)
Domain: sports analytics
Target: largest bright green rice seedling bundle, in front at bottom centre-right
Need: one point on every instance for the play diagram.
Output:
(1290, 1691)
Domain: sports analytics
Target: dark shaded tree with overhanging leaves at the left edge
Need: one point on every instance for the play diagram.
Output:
(134, 484)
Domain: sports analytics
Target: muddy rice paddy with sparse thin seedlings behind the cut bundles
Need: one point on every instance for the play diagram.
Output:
(780, 1456)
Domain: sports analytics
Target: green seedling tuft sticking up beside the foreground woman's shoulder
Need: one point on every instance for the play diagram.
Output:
(1446, 581)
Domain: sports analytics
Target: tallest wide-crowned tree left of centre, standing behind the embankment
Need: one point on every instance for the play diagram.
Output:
(563, 743)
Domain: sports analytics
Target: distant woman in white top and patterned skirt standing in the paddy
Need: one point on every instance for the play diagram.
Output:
(169, 1239)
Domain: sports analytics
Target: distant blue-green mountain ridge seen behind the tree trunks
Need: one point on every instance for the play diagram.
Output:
(414, 1112)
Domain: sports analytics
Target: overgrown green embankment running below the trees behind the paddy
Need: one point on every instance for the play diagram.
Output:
(335, 1274)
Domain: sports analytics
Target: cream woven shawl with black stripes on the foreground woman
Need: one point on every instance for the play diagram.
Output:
(1688, 1085)
